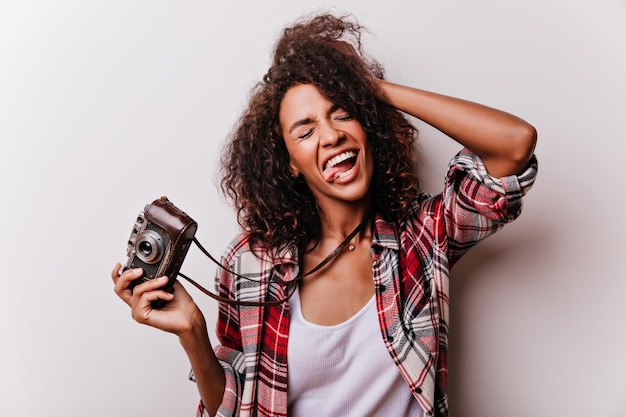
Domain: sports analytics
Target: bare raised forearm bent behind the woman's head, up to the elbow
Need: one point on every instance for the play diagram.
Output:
(504, 142)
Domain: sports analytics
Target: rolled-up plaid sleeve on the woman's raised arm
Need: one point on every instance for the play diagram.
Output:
(476, 205)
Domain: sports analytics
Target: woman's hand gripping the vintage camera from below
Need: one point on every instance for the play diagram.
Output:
(177, 315)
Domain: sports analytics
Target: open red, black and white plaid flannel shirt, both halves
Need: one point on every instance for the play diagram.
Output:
(411, 264)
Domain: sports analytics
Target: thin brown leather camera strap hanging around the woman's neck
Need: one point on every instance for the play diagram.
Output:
(297, 279)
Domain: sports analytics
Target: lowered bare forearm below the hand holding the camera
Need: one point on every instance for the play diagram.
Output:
(208, 372)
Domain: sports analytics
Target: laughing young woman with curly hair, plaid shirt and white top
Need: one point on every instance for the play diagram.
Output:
(334, 326)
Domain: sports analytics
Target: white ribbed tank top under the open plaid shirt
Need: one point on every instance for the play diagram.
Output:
(344, 370)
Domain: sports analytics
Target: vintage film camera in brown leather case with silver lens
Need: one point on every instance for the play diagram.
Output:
(159, 242)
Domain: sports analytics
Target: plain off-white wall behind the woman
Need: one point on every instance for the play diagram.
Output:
(107, 105)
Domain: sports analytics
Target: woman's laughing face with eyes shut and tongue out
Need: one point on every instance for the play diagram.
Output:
(326, 145)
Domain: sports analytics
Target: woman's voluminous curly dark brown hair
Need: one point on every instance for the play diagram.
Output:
(276, 209)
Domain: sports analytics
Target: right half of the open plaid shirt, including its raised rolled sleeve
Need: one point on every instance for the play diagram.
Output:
(412, 283)
